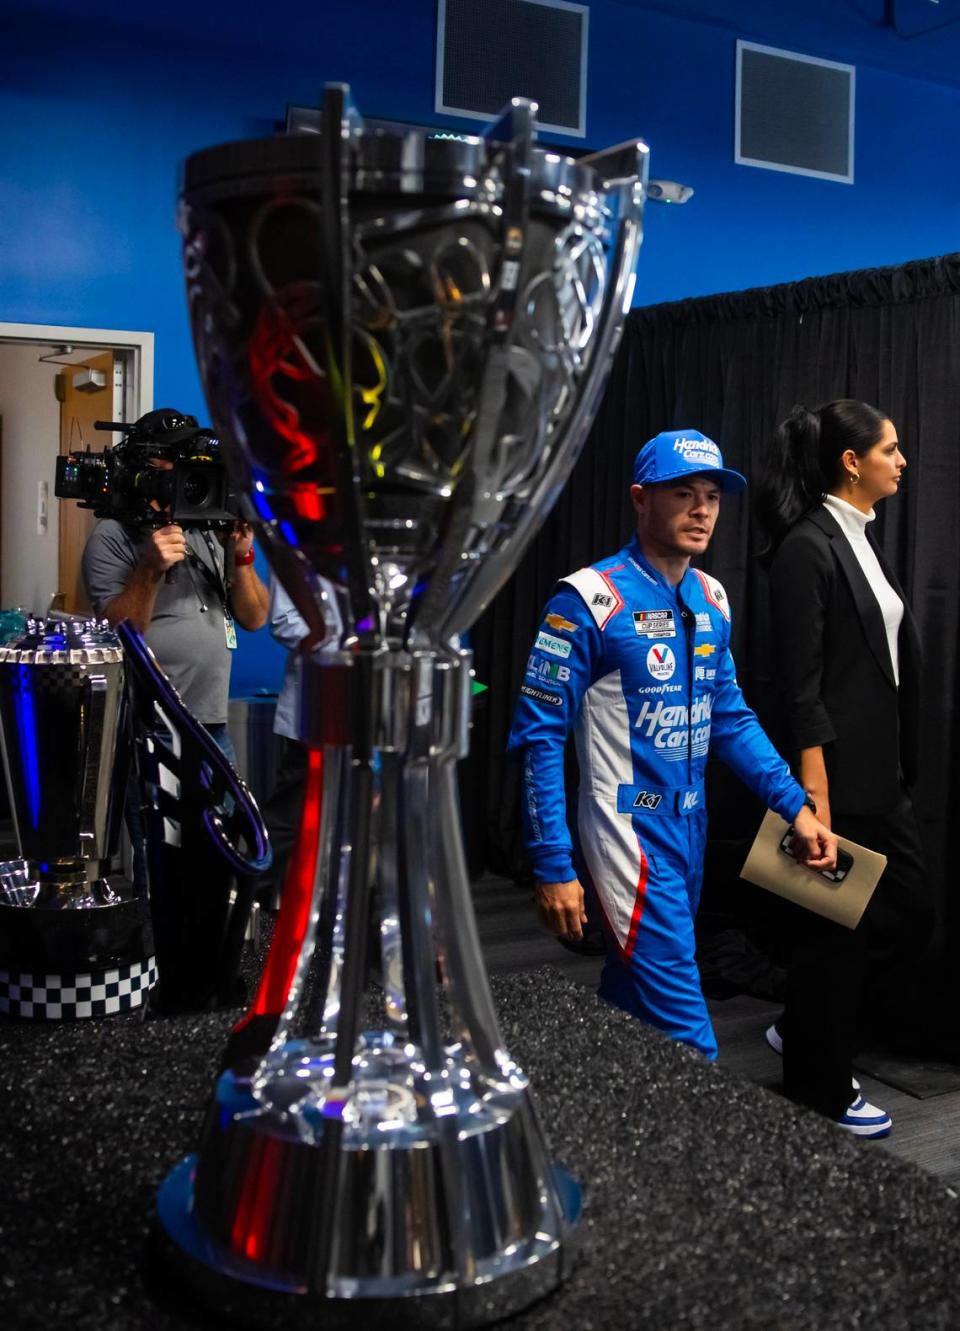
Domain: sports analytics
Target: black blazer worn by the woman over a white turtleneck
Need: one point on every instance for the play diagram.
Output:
(834, 669)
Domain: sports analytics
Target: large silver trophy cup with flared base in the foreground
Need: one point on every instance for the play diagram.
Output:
(403, 337)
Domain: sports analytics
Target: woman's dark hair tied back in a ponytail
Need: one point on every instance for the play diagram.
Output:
(805, 463)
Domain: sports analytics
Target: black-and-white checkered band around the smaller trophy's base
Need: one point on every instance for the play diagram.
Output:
(98, 994)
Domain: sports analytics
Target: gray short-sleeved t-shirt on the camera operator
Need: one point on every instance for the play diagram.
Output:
(188, 642)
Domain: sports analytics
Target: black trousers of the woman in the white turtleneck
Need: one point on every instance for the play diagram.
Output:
(836, 975)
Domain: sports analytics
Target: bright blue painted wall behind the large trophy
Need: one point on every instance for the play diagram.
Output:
(98, 107)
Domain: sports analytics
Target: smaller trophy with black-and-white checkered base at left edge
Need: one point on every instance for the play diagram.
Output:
(71, 944)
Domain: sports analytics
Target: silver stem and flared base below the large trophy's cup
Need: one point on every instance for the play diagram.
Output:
(311, 1157)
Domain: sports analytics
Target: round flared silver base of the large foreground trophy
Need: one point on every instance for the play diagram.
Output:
(412, 1195)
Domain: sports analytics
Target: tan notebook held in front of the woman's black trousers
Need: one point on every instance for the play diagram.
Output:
(772, 867)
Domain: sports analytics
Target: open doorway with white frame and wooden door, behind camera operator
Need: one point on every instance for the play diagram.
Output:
(55, 383)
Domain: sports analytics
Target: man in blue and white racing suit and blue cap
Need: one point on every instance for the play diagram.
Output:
(634, 656)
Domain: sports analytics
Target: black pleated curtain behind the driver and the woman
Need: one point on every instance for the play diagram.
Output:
(733, 367)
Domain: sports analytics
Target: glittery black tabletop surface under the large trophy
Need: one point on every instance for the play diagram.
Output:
(710, 1204)
